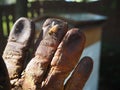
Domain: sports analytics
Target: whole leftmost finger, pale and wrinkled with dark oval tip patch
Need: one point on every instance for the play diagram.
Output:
(17, 46)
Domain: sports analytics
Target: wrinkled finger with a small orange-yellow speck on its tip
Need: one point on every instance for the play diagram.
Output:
(37, 67)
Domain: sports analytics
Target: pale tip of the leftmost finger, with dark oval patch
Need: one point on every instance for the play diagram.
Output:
(22, 30)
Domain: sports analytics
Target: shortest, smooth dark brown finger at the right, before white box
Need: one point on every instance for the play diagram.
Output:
(80, 74)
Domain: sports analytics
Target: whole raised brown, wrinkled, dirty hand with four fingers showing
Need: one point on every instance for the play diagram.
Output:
(57, 52)
